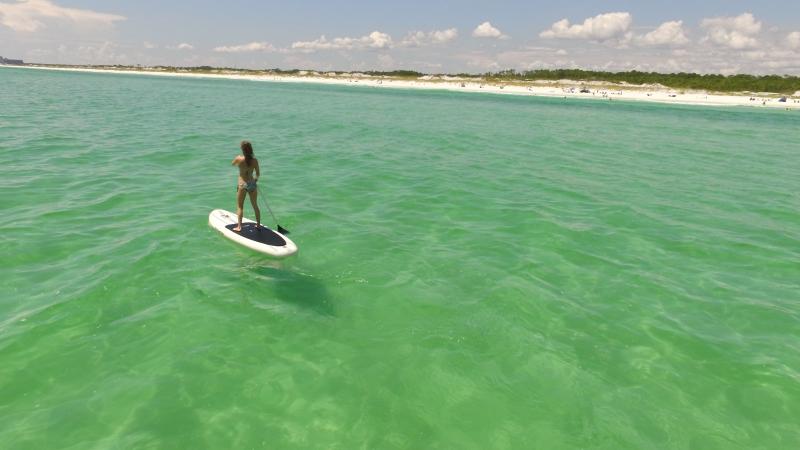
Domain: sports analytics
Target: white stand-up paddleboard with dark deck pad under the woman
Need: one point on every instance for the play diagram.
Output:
(260, 239)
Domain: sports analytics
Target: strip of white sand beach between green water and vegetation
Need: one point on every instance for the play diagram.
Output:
(594, 90)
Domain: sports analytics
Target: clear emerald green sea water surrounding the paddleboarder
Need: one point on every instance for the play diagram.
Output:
(475, 271)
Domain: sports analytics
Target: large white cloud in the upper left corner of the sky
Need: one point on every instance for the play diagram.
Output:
(29, 15)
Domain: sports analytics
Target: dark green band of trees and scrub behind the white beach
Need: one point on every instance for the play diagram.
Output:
(776, 84)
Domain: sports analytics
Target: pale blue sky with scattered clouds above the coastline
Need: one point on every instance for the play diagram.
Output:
(713, 36)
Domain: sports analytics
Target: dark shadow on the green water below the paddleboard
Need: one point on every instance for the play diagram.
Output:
(297, 288)
